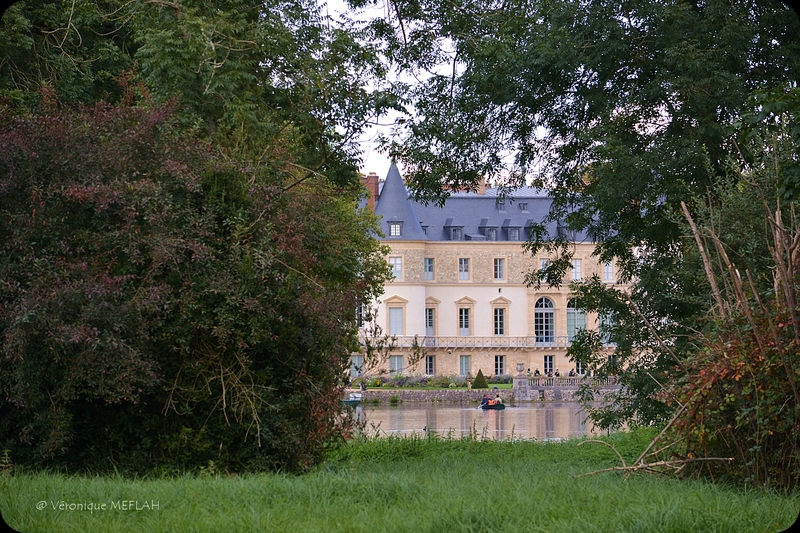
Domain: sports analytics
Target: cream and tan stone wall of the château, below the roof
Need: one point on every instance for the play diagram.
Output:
(481, 293)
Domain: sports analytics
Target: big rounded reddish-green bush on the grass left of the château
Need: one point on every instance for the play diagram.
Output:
(163, 307)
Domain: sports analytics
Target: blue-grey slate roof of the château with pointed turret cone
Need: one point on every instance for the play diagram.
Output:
(475, 214)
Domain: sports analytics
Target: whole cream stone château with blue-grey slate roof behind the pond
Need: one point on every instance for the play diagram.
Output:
(465, 302)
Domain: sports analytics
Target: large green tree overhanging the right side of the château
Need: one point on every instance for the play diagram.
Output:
(622, 111)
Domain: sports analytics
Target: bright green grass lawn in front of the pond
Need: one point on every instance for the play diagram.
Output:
(420, 485)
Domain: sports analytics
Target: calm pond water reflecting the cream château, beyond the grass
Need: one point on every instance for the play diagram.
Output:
(540, 421)
